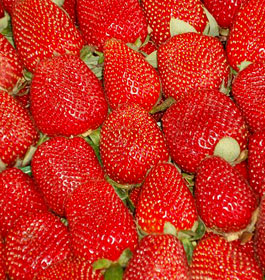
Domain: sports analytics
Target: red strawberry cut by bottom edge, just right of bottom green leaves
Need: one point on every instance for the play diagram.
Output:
(158, 257)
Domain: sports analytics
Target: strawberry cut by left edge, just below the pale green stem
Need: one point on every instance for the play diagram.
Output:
(18, 197)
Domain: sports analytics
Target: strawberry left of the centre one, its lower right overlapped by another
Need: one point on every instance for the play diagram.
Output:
(60, 165)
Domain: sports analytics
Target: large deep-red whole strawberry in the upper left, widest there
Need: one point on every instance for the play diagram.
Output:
(66, 97)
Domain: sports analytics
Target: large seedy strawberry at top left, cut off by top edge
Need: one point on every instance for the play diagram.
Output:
(41, 29)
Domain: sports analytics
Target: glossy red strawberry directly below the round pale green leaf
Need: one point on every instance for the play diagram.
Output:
(224, 199)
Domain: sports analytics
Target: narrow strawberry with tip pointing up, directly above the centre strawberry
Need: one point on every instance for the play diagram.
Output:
(129, 79)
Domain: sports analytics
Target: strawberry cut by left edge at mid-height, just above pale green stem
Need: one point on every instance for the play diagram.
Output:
(17, 132)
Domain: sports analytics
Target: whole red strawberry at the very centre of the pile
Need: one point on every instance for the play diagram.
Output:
(131, 143)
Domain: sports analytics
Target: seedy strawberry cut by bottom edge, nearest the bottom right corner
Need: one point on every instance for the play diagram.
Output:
(216, 259)
